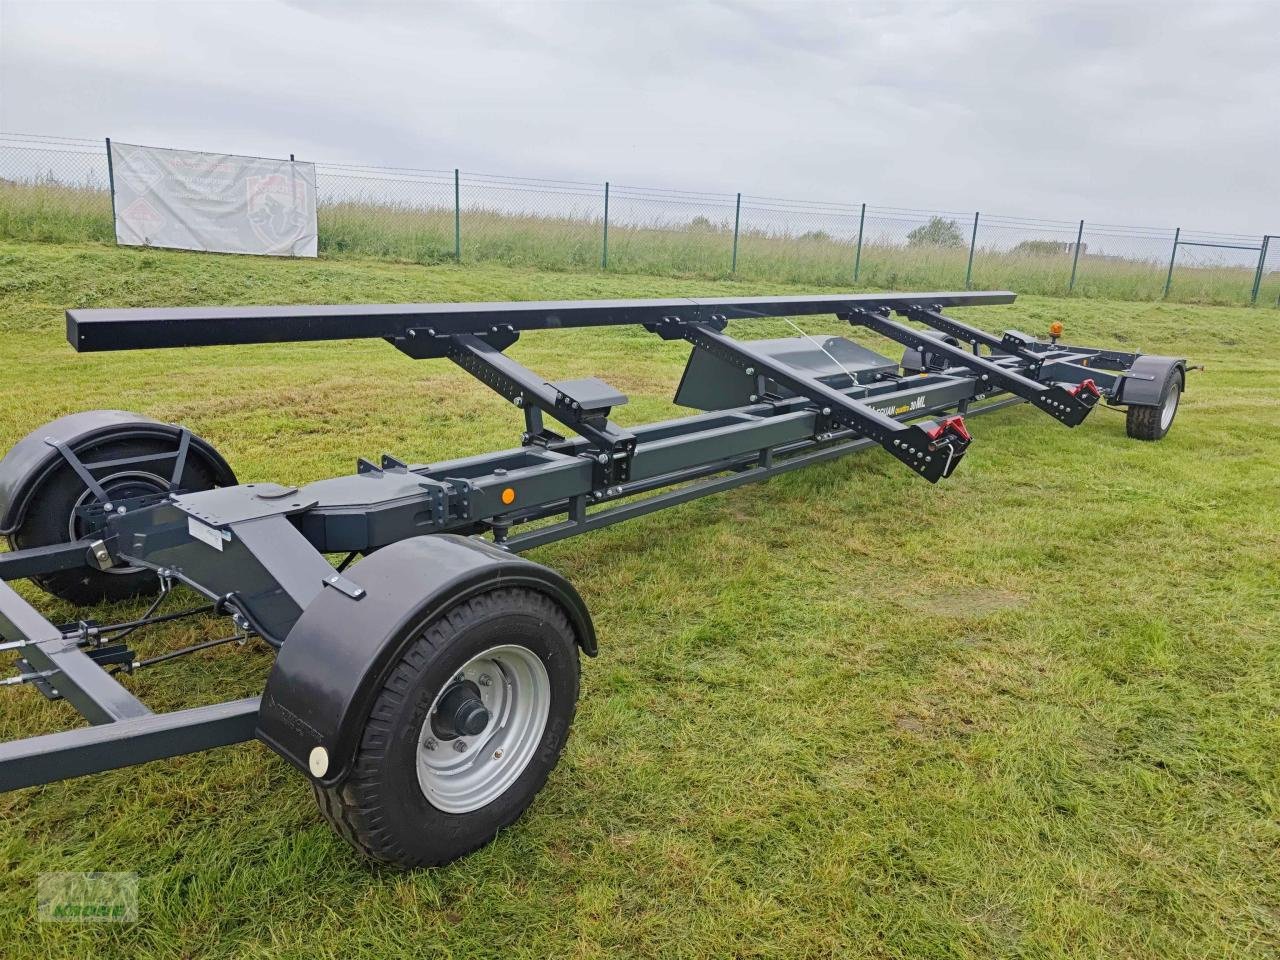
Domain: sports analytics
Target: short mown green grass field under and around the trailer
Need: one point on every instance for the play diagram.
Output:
(1031, 712)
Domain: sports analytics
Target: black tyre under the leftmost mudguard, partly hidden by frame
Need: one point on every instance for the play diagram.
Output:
(53, 505)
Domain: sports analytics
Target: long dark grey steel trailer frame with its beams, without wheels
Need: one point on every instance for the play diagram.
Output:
(257, 551)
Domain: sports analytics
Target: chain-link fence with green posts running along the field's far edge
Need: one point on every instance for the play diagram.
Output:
(57, 189)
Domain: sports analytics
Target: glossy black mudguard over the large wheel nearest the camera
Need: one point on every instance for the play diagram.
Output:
(340, 653)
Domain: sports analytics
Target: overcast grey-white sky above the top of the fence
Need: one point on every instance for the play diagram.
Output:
(1153, 115)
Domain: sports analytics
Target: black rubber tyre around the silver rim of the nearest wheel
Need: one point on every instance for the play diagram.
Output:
(381, 808)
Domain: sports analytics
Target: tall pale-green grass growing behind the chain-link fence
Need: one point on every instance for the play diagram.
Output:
(56, 213)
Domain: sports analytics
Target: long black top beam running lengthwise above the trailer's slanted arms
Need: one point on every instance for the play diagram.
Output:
(195, 327)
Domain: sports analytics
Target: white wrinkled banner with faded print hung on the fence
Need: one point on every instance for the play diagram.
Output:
(213, 202)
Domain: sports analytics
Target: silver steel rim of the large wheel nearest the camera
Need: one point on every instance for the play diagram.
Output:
(518, 693)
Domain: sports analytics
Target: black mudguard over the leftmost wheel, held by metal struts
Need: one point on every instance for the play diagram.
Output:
(31, 460)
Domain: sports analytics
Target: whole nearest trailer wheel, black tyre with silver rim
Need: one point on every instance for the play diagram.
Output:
(464, 734)
